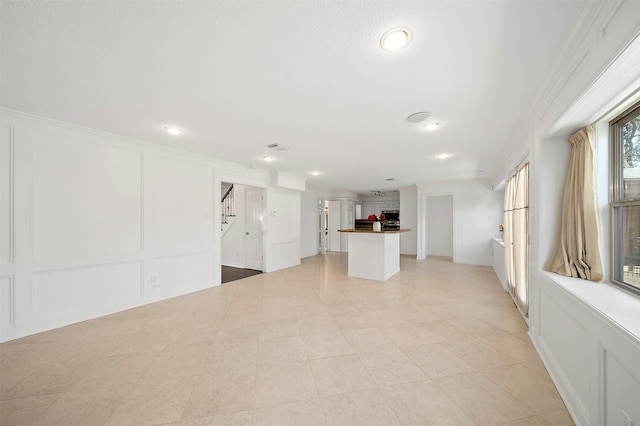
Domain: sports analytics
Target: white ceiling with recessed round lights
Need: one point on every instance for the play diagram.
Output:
(310, 75)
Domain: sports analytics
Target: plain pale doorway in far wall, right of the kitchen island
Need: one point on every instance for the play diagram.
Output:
(440, 225)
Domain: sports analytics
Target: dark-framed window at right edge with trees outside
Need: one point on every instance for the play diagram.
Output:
(625, 200)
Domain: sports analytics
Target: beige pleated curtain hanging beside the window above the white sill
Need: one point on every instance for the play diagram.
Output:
(580, 250)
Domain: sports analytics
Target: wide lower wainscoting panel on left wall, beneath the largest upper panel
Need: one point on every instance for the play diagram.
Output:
(65, 296)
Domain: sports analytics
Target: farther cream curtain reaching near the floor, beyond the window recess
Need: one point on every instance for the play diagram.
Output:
(516, 237)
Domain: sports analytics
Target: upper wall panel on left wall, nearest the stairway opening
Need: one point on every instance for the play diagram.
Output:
(182, 204)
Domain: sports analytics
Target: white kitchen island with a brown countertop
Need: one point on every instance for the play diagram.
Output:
(374, 255)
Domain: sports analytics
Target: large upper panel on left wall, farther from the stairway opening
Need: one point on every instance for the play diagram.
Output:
(87, 198)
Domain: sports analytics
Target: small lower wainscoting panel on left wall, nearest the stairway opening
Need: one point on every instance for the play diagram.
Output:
(175, 275)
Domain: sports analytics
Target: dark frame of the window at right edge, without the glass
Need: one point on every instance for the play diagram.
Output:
(617, 200)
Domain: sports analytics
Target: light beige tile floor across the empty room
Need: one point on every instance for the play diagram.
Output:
(437, 344)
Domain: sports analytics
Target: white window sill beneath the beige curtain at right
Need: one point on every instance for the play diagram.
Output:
(613, 303)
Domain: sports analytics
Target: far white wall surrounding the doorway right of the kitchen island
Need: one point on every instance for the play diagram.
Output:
(477, 214)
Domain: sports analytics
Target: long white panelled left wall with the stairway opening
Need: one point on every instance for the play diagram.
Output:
(94, 223)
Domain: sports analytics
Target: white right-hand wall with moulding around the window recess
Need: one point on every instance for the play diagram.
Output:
(587, 334)
